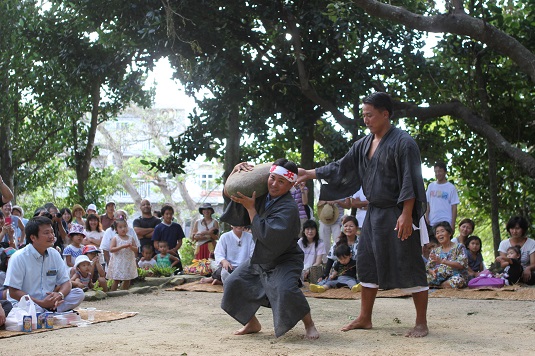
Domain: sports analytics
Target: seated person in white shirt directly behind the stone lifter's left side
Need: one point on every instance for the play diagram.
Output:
(234, 248)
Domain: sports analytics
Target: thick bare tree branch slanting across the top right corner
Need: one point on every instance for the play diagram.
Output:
(458, 23)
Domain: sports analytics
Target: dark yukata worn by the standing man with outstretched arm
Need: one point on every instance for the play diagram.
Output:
(390, 177)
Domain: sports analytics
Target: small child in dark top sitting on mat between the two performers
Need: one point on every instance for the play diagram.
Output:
(343, 272)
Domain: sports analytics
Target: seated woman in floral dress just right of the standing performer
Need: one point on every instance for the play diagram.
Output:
(447, 263)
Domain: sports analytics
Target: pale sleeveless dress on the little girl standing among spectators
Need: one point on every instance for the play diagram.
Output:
(123, 262)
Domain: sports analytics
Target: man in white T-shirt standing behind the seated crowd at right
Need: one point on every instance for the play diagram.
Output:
(442, 199)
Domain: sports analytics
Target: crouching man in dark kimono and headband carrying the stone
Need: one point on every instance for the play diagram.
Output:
(270, 278)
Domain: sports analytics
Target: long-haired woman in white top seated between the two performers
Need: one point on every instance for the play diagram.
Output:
(312, 246)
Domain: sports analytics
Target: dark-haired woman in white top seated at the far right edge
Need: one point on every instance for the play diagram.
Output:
(517, 227)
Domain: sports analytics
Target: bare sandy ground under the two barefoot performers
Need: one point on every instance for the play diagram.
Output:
(192, 323)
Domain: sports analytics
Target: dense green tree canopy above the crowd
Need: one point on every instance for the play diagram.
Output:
(280, 76)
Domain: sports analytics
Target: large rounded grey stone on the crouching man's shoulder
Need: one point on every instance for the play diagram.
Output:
(249, 182)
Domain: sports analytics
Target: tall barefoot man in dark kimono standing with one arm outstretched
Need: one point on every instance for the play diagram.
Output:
(387, 165)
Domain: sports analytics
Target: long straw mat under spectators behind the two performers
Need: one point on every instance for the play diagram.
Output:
(506, 293)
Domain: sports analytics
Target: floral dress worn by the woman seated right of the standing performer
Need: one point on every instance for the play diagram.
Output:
(437, 274)
